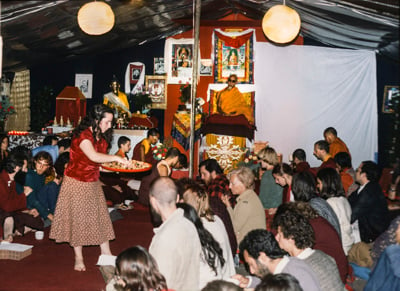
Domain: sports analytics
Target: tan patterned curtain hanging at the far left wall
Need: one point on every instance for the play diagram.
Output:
(20, 98)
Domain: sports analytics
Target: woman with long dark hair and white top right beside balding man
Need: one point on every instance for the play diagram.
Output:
(212, 260)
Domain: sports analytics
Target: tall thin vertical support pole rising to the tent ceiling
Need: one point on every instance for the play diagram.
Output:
(196, 48)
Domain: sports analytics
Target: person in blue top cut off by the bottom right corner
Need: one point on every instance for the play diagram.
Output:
(386, 274)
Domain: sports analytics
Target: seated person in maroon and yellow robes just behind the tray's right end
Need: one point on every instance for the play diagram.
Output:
(142, 151)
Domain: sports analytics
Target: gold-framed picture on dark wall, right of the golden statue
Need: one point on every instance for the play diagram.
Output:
(157, 88)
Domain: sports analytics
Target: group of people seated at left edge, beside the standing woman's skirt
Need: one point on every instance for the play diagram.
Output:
(30, 182)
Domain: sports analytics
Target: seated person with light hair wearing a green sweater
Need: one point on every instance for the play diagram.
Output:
(270, 192)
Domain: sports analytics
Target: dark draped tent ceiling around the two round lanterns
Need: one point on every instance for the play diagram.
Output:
(47, 31)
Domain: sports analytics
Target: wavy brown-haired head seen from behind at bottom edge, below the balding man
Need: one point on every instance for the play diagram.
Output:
(136, 269)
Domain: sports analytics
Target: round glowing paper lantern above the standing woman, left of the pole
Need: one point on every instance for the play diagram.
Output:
(96, 18)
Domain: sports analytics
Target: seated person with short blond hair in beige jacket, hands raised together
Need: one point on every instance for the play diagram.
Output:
(248, 213)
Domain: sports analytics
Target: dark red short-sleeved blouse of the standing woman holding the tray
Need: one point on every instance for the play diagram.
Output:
(79, 166)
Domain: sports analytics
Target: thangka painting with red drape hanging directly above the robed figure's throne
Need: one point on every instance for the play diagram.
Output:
(233, 54)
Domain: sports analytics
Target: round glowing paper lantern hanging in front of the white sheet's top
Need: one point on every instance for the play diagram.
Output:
(281, 24)
